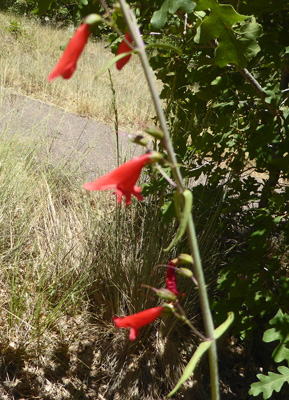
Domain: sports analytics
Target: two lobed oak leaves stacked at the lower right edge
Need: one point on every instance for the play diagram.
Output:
(273, 381)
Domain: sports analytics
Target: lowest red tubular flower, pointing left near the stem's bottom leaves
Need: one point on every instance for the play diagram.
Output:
(136, 321)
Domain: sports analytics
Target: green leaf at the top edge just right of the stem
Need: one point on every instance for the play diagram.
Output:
(160, 17)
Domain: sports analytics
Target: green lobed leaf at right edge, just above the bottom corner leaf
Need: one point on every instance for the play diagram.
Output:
(280, 331)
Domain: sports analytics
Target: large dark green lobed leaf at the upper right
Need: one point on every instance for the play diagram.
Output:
(234, 46)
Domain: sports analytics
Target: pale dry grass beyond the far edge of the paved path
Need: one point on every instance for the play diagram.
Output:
(29, 51)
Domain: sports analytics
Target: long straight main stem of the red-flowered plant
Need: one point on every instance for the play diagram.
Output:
(192, 238)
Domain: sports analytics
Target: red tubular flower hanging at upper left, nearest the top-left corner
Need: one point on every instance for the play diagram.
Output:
(67, 64)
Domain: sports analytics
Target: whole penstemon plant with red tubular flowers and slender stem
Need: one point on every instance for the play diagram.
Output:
(123, 181)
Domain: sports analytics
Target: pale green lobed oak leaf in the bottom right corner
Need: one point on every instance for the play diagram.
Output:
(269, 383)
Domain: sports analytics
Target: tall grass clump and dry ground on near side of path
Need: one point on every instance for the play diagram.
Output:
(70, 262)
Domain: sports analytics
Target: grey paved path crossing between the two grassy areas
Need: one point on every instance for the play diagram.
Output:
(70, 137)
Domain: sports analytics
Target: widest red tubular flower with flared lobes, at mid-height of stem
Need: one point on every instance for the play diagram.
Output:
(122, 179)
